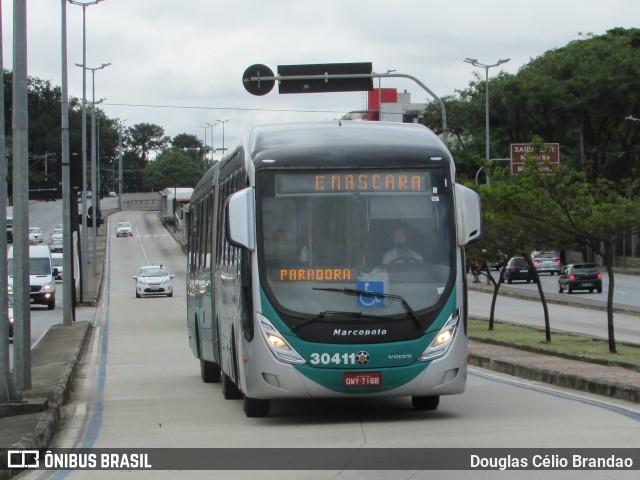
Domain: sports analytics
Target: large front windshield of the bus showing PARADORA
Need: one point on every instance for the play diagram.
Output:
(384, 231)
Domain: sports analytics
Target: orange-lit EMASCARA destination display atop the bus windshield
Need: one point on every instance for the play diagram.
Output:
(343, 182)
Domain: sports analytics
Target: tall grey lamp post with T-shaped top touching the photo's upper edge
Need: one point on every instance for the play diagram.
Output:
(84, 238)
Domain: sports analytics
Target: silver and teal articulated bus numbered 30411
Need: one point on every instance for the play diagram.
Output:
(293, 291)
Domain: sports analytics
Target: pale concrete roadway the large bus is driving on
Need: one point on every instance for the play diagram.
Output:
(140, 388)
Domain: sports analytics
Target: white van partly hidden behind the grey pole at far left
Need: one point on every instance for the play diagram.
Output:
(41, 275)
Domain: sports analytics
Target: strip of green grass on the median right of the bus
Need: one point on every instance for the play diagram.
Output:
(563, 344)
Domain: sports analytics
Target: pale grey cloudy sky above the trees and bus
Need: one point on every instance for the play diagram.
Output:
(179, 63)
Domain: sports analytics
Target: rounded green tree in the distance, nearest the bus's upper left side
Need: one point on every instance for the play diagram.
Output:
(173, 168)
